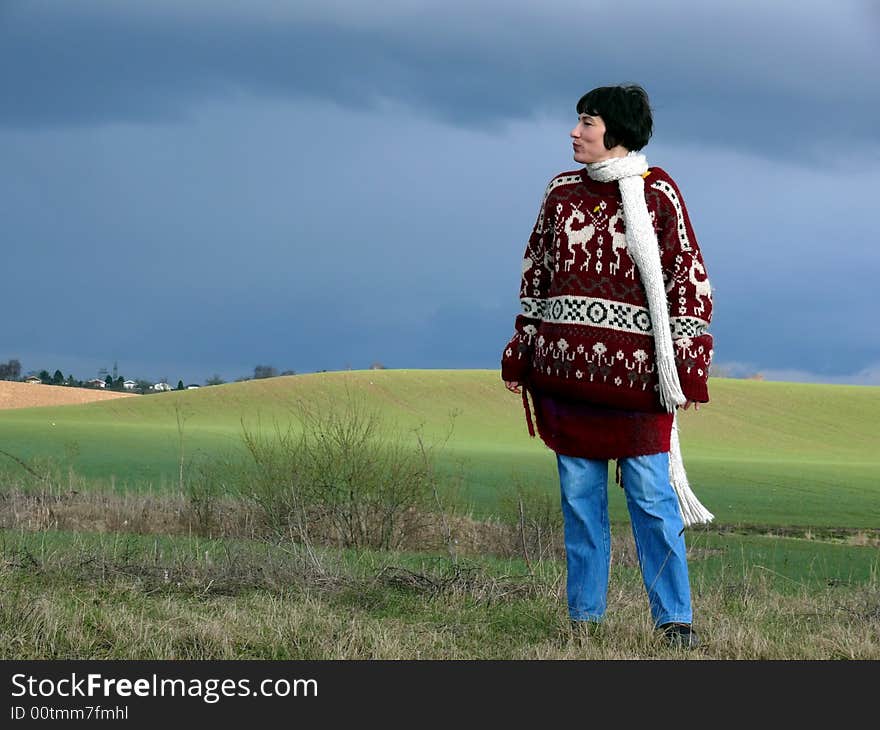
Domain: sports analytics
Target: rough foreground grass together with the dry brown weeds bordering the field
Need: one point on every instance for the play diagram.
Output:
(99, 574)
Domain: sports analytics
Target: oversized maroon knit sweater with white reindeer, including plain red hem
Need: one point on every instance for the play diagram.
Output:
(583, 345)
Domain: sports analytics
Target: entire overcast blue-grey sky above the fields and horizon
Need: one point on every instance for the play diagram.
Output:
(191, 187)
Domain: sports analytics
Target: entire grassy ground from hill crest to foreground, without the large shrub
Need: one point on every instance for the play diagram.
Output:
(789, 570)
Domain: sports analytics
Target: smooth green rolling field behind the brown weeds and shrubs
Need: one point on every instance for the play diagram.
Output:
(761, 453)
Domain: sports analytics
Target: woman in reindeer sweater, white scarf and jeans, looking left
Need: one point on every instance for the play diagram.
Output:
(613, 254)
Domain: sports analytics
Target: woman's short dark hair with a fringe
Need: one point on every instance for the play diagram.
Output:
(626, 112)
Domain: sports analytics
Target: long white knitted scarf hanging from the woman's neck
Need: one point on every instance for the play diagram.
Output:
(643, 248)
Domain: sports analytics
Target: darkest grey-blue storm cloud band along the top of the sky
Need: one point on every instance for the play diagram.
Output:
(781, 80)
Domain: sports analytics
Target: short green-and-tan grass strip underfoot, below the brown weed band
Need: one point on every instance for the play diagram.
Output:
(117, 596)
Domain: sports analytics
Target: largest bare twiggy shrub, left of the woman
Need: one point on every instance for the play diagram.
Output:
(344, 476)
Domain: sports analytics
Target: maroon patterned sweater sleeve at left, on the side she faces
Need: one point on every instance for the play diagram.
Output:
(537, 273)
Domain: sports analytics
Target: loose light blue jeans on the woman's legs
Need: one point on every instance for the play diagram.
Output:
(656, 525)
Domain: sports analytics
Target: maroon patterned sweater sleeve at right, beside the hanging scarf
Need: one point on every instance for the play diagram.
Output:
(688, 292)
